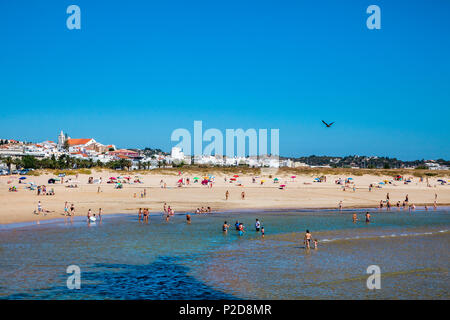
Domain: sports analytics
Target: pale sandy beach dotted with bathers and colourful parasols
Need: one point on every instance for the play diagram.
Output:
(19, 206)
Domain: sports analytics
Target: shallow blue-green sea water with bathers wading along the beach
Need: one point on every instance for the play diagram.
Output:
(121, 258)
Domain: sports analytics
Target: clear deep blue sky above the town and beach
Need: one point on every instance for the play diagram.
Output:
(137, 70)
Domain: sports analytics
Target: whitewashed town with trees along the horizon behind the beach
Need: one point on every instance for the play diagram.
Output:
(88, 150)
